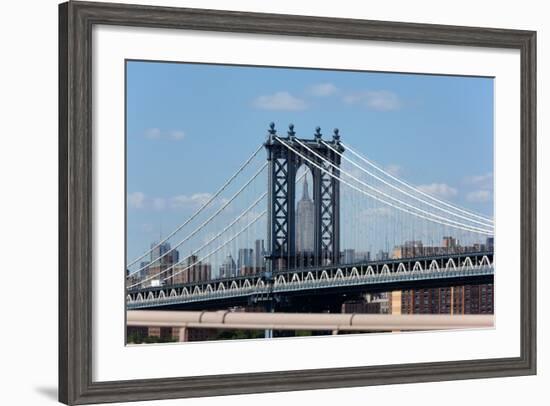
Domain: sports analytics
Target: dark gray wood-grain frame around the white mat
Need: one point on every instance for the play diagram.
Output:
(76, 20)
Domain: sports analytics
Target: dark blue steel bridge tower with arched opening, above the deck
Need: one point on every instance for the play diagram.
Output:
(281, 222)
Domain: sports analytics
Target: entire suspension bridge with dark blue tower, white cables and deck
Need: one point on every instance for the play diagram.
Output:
(316, 223)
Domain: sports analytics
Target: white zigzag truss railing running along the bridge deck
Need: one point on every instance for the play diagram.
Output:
(405, 270)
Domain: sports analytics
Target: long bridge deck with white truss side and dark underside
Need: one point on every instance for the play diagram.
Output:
(321, 282)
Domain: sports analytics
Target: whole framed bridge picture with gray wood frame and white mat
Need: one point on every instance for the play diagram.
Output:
(273, 202)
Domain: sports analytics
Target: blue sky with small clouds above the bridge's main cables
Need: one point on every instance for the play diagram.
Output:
(189, 126)
